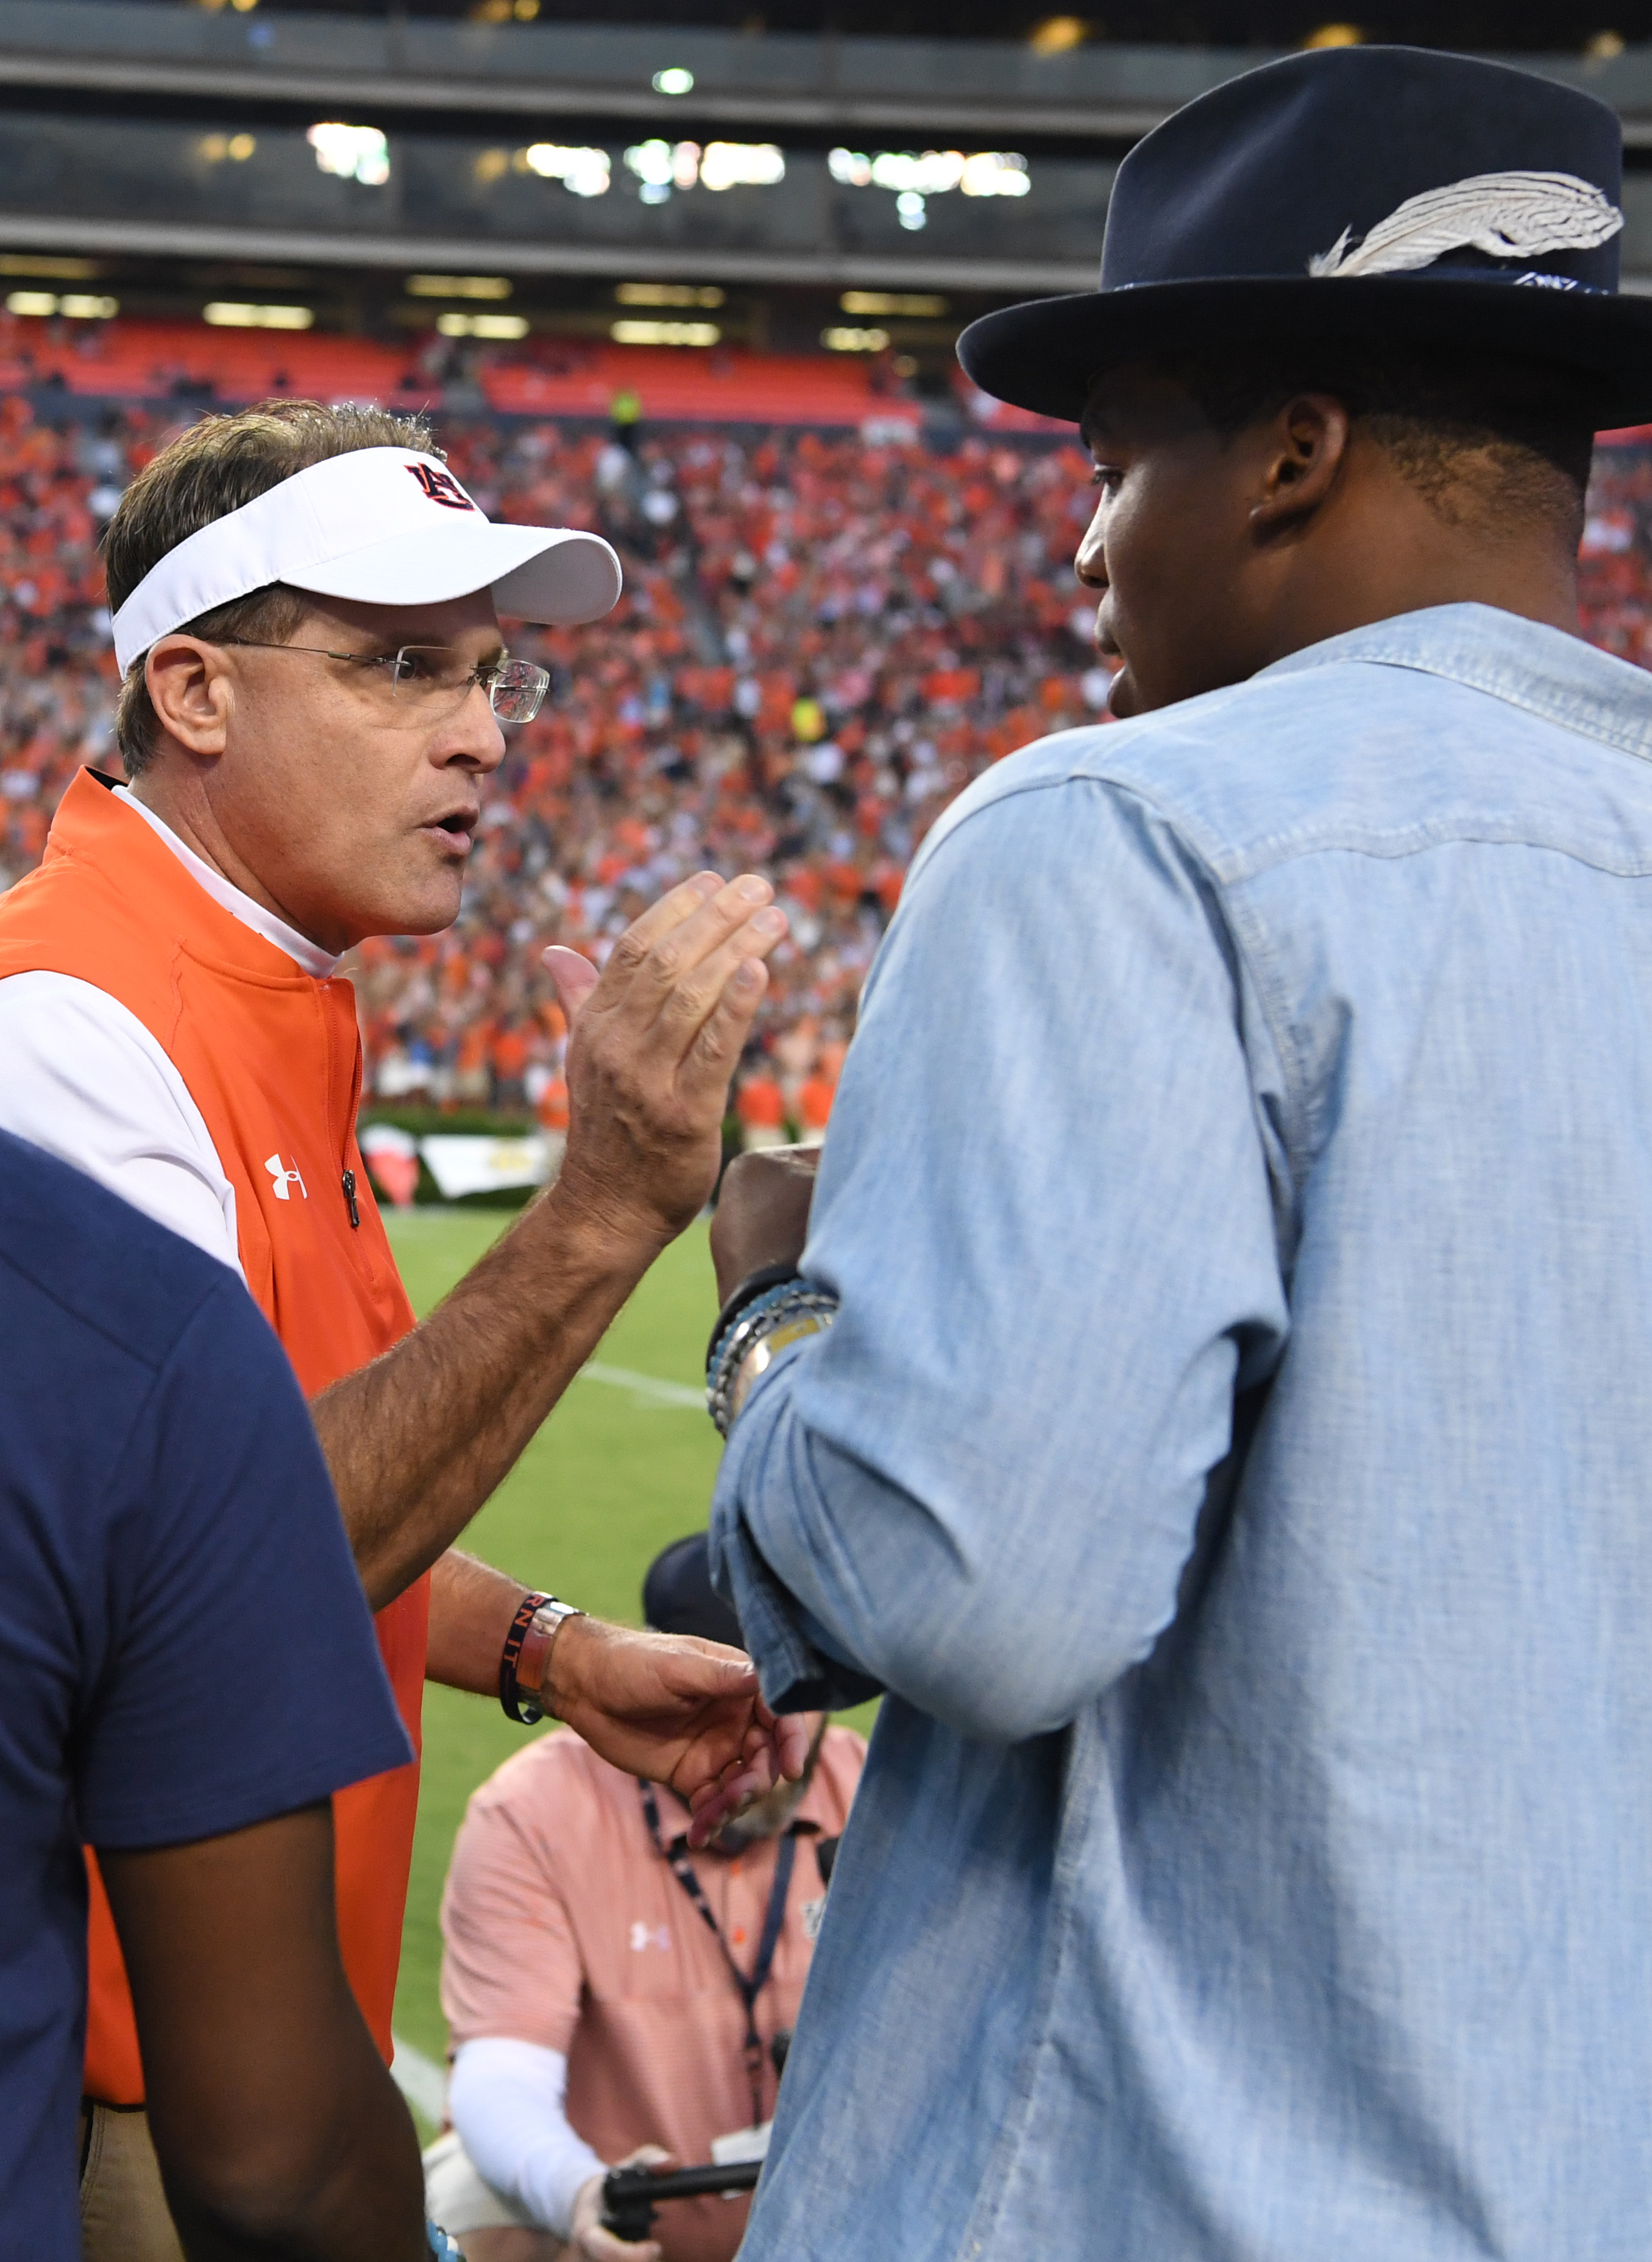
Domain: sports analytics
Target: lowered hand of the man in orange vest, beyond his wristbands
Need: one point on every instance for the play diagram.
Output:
(678, 1711)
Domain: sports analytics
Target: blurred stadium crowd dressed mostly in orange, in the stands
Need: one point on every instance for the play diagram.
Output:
(825, 637)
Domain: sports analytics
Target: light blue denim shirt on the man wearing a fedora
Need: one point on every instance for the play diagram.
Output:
(1234, 1458)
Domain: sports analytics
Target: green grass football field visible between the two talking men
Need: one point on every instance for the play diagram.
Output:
(617, 1474)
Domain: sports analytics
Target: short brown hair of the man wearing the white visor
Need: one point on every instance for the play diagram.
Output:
(216, 467)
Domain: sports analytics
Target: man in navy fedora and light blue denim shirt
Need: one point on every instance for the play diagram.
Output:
(1232, 1440)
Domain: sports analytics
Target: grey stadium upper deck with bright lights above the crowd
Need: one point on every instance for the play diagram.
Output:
(345, 148)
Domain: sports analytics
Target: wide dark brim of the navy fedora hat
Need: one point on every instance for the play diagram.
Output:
(1049, 354)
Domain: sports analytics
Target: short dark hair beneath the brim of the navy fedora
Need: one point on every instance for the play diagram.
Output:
(1517, 426)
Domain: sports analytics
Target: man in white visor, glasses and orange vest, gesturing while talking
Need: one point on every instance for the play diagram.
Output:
(313, 687)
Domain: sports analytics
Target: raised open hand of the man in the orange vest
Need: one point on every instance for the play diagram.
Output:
(655, 1042)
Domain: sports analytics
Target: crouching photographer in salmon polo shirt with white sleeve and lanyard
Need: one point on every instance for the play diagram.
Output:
(614, 1996)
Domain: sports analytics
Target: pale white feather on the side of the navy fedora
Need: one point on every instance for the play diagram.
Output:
(1504, 214)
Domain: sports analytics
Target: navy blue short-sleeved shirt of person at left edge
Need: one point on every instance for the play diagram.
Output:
(162, 1496)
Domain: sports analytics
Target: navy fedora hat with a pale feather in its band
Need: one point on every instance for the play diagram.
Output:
(1363, 196)
